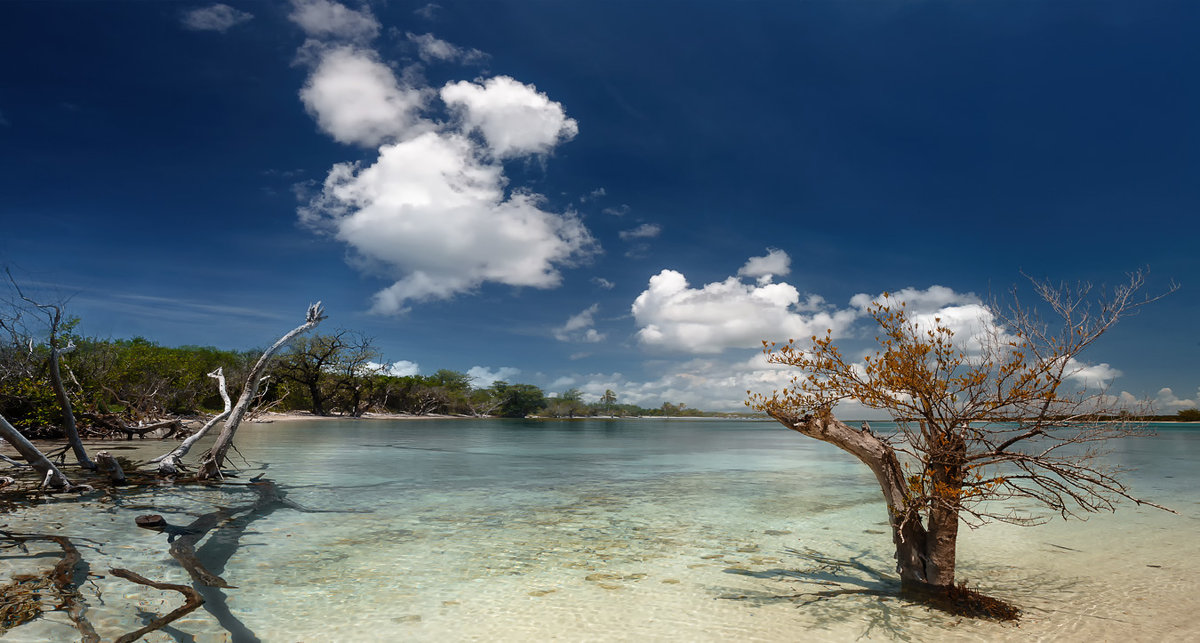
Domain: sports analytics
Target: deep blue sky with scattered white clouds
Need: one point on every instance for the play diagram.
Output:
(616, 195)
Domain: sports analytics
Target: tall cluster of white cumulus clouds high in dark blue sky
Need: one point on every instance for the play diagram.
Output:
(435, 212)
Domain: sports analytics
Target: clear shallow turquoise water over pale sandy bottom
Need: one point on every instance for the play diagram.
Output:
(613, 531)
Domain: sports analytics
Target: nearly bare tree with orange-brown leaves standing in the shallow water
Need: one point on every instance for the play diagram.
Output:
(991, 418)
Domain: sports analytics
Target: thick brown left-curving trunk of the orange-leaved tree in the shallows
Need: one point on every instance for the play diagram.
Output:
(921, 552)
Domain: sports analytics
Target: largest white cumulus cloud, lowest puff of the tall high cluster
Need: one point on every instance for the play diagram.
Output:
(431, 213)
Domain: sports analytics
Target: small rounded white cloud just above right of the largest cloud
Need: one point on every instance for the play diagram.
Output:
(514, 118)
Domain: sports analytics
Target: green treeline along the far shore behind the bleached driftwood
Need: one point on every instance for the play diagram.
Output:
(137, 381)
